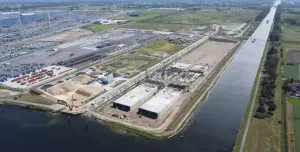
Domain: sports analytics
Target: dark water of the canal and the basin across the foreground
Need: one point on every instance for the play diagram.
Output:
(213, 128)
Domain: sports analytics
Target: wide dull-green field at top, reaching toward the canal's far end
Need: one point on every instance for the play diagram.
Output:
(208, 17)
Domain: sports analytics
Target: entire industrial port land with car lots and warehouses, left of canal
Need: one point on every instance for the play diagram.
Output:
(148, 80)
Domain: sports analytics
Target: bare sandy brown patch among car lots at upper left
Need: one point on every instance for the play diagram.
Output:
(67, 35)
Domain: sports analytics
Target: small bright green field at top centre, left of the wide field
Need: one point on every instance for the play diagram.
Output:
(144, 15)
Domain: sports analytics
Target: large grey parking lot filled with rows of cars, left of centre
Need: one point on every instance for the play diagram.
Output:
(83, 50)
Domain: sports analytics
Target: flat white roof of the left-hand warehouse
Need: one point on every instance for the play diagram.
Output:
(137, 94)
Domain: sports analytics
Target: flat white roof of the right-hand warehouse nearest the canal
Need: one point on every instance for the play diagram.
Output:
(163, 100)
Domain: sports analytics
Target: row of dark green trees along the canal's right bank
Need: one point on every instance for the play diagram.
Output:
(266, 99)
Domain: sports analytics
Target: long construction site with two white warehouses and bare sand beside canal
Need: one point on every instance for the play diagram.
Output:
(154, 102)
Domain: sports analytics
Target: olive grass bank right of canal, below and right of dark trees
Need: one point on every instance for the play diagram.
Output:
(265, 134)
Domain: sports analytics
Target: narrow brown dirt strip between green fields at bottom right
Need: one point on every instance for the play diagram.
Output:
(290, 126)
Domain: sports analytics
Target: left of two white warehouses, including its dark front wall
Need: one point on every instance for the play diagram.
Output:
(136, 97)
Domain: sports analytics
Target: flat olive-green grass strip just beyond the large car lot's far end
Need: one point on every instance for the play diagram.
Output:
(158, 26)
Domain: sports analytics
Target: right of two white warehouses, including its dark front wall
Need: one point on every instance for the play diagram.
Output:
(160, 105)
